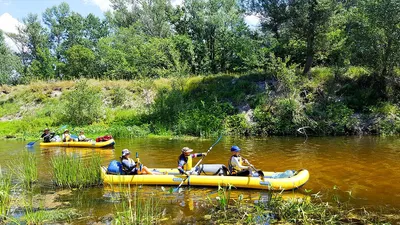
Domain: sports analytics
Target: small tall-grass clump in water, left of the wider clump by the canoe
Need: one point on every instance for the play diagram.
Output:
(25, 169)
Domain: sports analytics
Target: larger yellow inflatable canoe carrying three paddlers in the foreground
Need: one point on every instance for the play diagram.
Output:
(172, 177)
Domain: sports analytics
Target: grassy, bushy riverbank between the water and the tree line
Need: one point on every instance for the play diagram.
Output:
(251, 104)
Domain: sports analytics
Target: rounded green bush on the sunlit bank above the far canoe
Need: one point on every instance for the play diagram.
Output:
(81, 106)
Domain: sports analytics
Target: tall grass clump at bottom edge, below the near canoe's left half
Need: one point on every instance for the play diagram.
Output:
(138, 209)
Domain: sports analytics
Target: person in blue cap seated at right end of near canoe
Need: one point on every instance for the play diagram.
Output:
(235, 164)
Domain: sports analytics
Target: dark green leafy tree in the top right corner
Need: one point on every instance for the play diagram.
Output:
(374, 35)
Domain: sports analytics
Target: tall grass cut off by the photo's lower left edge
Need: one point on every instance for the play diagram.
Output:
(5, 198)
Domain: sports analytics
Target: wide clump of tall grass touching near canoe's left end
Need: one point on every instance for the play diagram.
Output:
(72, 171)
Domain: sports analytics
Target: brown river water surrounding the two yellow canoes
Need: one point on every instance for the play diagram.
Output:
(361, 170)
